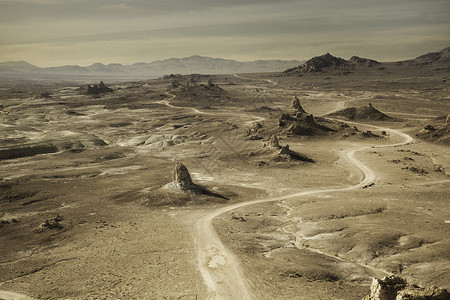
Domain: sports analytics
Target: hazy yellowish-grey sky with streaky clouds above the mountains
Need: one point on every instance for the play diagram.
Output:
(57, 32)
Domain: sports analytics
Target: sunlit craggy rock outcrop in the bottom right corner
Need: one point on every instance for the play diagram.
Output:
(396, 288)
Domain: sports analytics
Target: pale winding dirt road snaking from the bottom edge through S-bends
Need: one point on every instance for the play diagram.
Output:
(220, 269)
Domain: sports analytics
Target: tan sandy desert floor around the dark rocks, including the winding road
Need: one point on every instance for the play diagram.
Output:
(367, 207)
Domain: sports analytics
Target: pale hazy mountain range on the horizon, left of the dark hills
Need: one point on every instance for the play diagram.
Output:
(187, 65)
